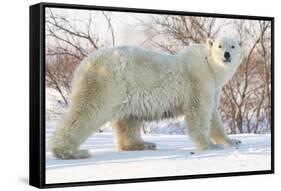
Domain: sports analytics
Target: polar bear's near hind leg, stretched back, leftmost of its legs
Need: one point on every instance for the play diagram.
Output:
(83, 117)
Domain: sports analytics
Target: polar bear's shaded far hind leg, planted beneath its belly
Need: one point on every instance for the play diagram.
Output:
(127, 133)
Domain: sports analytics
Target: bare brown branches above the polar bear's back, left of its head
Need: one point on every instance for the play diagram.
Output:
(171, 33)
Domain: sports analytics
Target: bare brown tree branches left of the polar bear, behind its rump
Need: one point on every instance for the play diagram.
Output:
(69, 40)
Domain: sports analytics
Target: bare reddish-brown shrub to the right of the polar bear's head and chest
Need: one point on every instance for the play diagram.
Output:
(244, 96)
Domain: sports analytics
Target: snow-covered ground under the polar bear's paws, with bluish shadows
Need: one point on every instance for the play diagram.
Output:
(173, 157)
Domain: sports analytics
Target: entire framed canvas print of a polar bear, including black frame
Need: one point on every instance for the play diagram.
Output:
(122, 95)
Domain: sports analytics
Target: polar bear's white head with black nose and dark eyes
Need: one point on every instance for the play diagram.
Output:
(226, 52)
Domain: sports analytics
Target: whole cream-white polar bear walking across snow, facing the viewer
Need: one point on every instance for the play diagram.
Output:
(128, 85)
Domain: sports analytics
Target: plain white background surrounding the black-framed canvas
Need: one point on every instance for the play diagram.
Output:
(14, 93)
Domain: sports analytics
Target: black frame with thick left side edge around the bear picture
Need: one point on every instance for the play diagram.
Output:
(37, 94)
